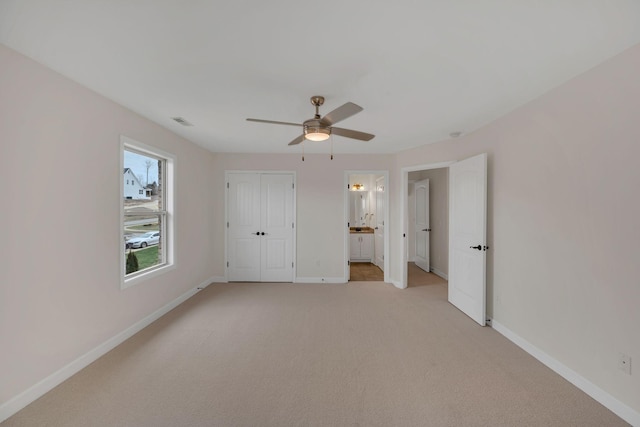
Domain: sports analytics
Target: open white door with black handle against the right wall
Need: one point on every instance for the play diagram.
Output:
(467, 236)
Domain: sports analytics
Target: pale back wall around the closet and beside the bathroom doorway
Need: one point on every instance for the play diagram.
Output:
(320, 212)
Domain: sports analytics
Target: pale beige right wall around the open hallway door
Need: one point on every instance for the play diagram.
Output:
(563, 269)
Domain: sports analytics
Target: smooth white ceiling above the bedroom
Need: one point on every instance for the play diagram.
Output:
(421, 69)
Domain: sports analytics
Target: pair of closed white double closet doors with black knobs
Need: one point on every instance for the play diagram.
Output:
(260, 227)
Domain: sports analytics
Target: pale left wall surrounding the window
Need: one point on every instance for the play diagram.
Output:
(60, 230)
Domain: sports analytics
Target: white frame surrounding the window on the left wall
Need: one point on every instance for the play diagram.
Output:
(168, 197)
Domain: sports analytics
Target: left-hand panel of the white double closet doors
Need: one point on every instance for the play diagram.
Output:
(244, 227)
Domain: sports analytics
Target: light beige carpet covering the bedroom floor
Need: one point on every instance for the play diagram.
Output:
(360, 354)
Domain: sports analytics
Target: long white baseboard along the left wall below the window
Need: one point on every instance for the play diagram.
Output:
(18, 402)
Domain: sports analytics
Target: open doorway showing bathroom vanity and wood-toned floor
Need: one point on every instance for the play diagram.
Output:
(366, 234)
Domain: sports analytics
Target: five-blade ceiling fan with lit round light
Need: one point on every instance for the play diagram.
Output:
(321, 128)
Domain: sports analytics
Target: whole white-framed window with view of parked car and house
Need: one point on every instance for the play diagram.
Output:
(147, 217)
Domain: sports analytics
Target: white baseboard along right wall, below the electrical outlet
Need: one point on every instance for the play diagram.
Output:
(625, 412)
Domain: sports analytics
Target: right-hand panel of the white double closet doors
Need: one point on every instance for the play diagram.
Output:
(277, 224)
